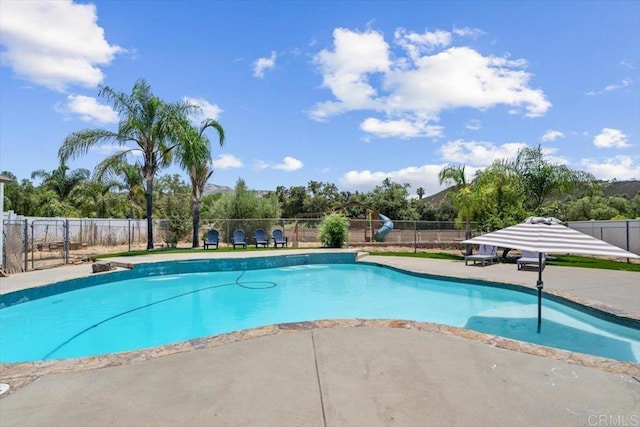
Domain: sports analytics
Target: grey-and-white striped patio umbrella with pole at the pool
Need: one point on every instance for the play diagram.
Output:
(548, 235)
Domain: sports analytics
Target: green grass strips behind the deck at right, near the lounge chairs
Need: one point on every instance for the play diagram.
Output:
(559, 260)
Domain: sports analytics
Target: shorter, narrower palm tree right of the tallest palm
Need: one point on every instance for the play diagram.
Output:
(194, 156)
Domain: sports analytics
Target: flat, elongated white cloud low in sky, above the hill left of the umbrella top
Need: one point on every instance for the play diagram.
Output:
(478, 153)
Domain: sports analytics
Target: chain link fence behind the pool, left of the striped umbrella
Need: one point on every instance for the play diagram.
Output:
(37, 243)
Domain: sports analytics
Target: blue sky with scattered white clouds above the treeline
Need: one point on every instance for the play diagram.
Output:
(346, 92)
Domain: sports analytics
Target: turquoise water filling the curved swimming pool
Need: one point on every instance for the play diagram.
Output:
(150, 311)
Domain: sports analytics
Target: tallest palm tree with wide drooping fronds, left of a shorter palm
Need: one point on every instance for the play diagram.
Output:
(146, 122)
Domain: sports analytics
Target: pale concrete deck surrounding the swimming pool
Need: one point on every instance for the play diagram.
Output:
(341, 373)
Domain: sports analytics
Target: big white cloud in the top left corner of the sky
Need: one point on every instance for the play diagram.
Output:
(54, 43)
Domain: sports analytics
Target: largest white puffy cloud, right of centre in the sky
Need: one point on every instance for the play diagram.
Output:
(419, 85)
